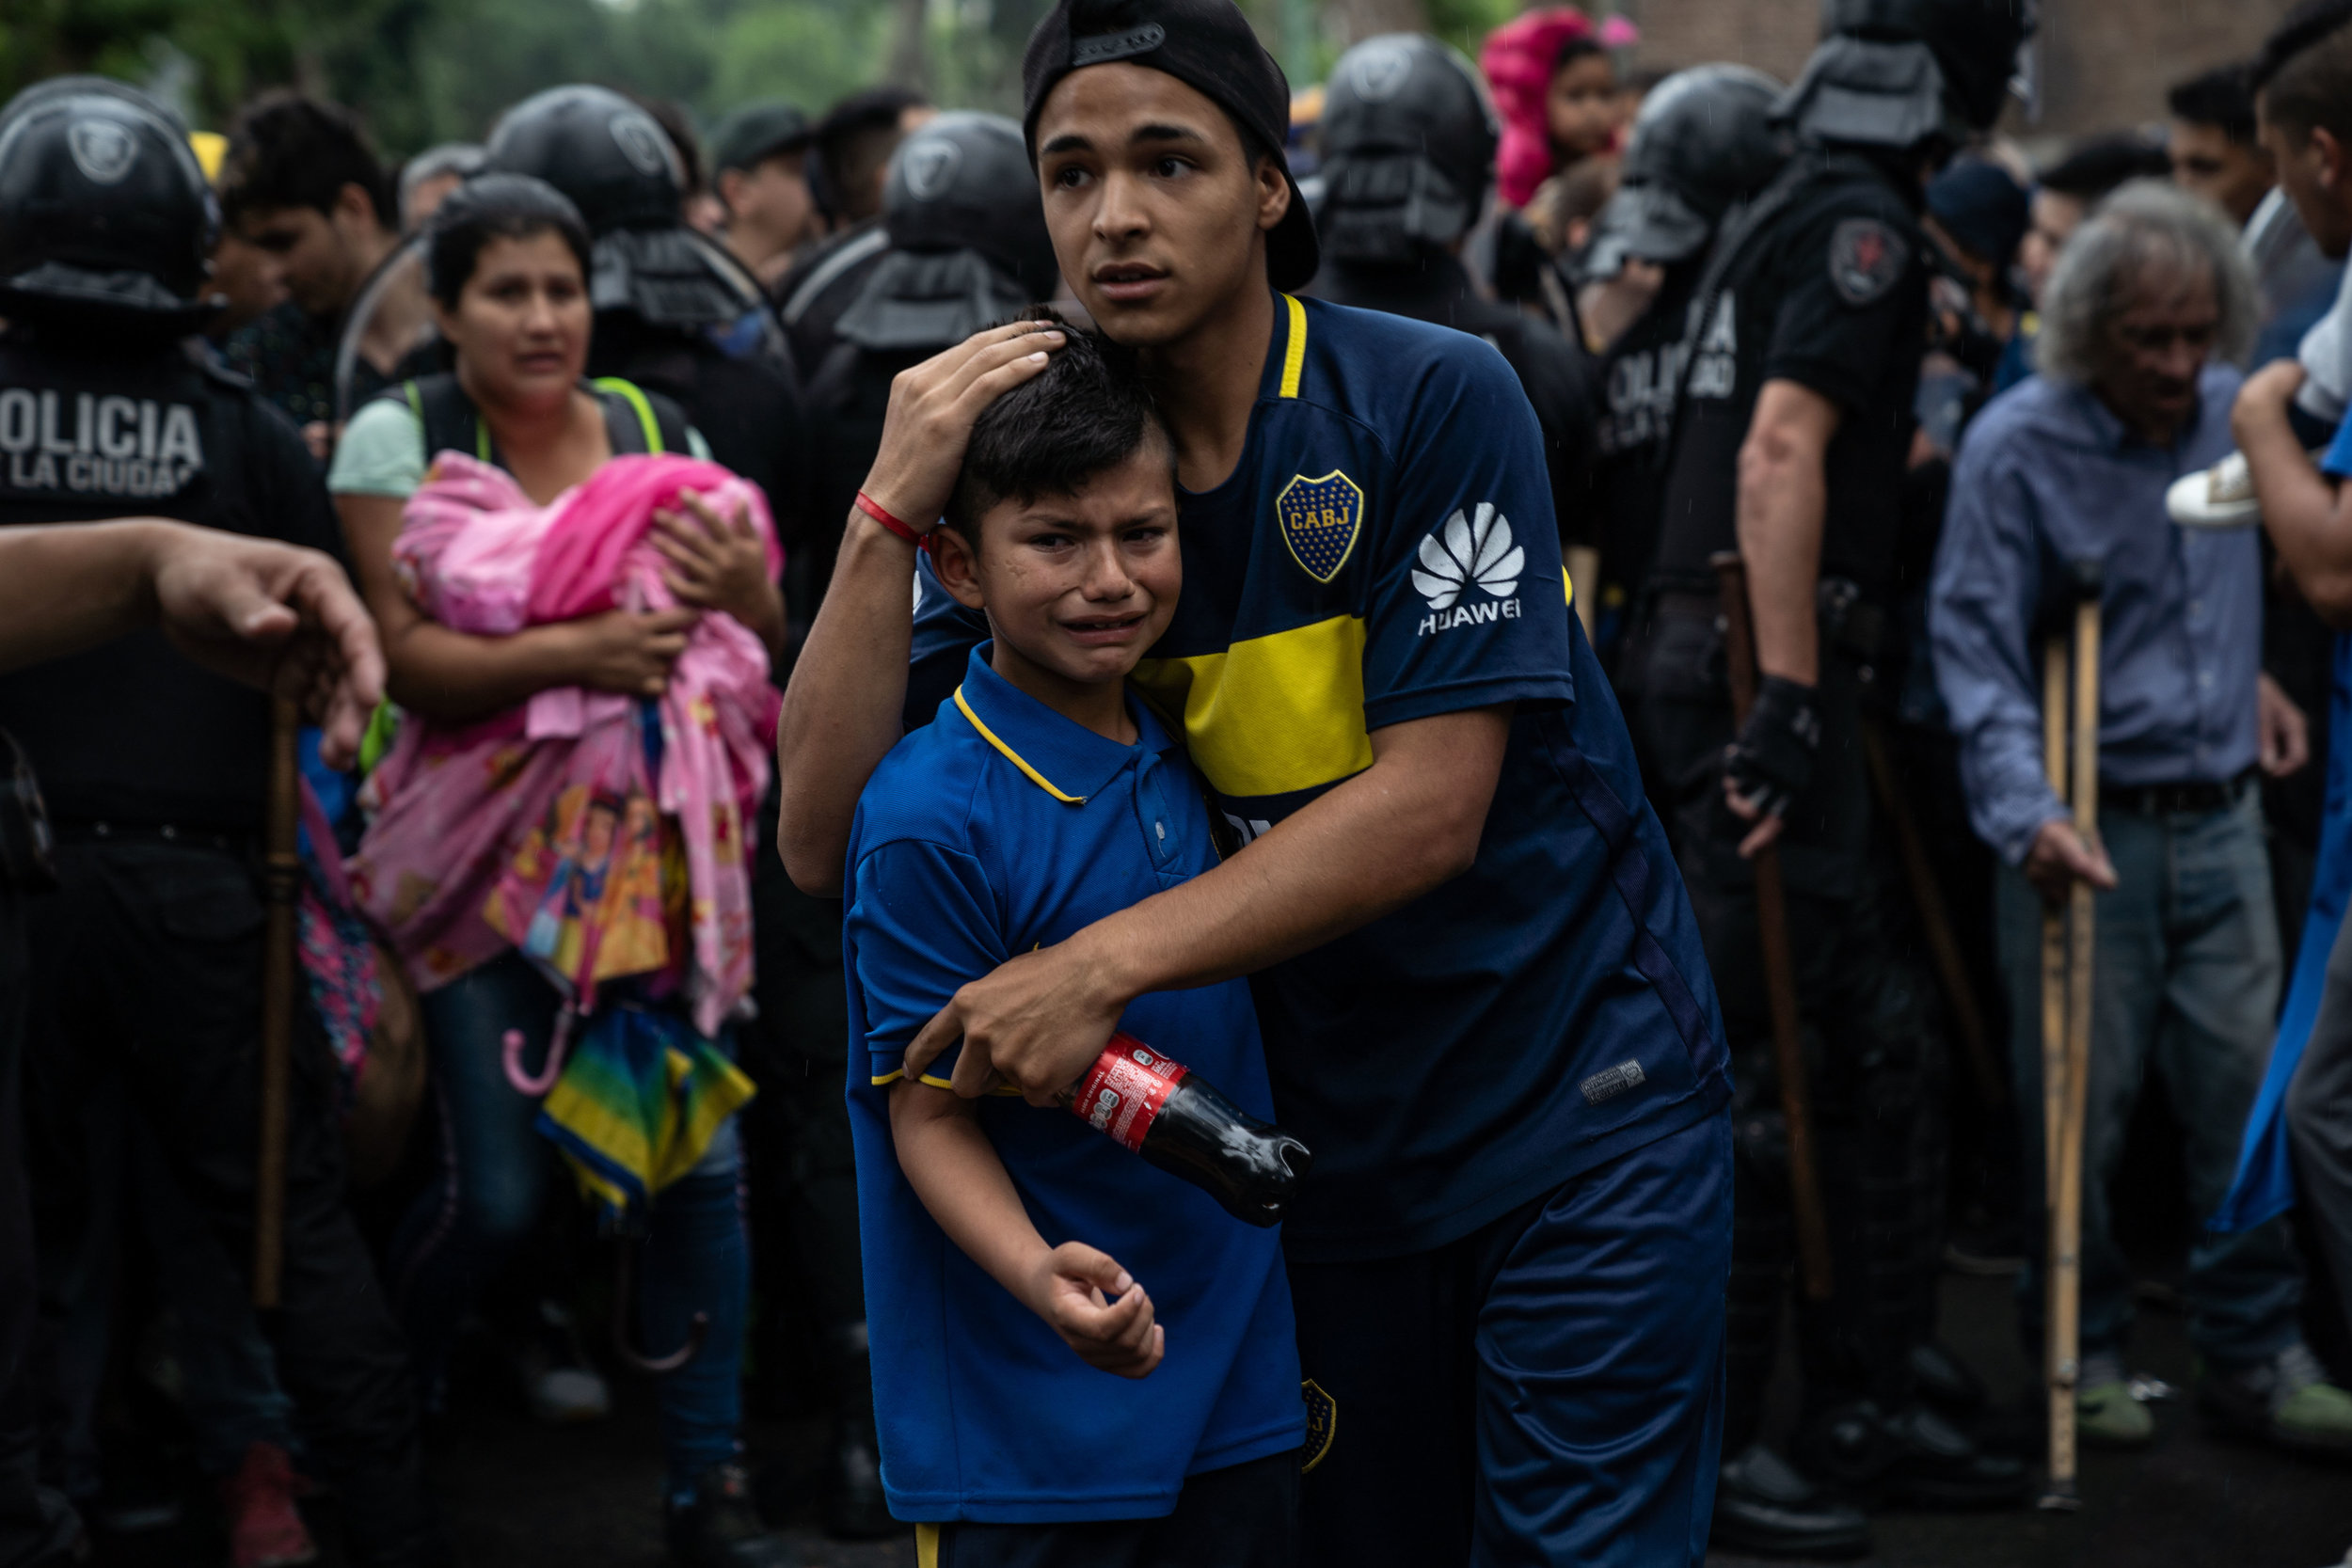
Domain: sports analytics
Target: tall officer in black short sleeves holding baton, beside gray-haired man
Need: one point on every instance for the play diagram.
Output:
(1791, 441)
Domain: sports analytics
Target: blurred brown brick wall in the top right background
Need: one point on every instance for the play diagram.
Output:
(2104, 62)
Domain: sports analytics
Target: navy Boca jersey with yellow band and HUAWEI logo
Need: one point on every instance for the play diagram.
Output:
(1382, 554)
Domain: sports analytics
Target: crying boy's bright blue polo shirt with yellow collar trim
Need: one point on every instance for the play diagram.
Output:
(994, 831)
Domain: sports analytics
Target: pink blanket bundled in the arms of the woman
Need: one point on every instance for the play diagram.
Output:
(465, 812)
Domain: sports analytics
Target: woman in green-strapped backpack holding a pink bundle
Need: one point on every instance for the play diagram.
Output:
(577, 624)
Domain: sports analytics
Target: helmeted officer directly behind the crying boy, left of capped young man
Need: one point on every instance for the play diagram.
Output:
(963, 246)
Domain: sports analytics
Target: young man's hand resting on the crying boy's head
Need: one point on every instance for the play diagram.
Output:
(933, 408)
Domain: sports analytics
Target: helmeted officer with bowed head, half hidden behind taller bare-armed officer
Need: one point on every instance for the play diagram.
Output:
(1704, 142)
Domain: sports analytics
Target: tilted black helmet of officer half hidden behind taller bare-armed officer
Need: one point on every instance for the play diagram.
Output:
(1702, 142)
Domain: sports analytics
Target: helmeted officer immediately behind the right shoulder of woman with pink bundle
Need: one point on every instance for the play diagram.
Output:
(671, 311)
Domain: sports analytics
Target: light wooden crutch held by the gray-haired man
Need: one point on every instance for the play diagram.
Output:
(2066, 1019)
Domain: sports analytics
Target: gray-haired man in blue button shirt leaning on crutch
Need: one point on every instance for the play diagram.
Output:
(2139, 326)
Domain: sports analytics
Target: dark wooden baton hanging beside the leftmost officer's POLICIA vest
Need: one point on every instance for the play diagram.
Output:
(281, 869)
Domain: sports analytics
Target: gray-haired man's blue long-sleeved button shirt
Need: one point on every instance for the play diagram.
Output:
(2047, 476)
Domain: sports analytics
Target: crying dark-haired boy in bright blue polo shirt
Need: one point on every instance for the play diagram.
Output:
(1041, 800)
